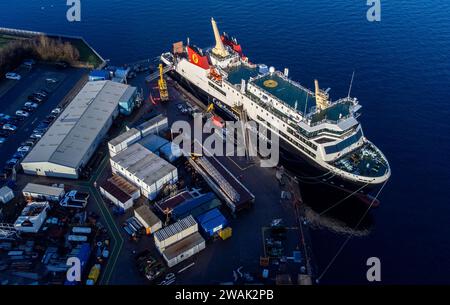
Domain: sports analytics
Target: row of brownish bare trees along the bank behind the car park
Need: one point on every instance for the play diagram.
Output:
(38, 48)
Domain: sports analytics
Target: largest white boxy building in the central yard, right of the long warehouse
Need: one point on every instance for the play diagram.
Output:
(144, 169)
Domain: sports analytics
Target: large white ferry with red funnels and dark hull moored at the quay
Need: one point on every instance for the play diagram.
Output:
(321, 138)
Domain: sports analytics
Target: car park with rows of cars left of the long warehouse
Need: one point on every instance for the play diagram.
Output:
(56, 81)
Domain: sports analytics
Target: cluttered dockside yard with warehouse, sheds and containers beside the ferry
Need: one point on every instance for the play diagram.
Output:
(136, 209)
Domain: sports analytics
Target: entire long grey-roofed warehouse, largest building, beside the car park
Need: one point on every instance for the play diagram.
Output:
(72, 139)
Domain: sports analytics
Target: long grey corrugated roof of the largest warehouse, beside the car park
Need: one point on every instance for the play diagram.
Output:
(75, 130)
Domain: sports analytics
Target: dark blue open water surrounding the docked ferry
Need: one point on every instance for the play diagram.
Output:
(402, 80)
